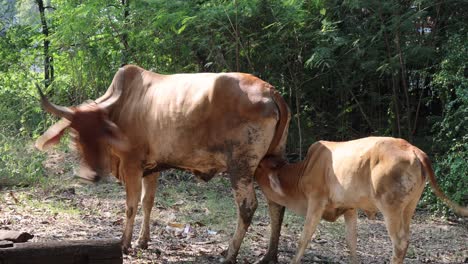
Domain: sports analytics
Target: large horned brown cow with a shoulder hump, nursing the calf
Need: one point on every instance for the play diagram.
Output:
(205, 123)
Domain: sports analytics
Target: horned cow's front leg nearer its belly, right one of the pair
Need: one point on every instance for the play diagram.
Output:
(150, 183)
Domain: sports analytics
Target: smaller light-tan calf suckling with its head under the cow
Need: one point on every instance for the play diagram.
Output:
(336, 178)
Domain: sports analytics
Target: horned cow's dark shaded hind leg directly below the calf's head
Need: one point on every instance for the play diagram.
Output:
(276, 212)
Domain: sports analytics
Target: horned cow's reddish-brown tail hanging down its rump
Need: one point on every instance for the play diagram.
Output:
(278, 142)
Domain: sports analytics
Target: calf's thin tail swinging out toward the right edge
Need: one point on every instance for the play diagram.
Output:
(428, 171)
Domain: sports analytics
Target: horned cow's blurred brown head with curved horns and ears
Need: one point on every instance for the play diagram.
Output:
(93, 133)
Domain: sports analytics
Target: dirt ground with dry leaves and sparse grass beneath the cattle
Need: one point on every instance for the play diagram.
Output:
(192, 222)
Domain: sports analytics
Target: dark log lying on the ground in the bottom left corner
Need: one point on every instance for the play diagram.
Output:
(63, 252)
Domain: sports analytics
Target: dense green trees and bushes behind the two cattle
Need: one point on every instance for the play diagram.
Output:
(347, 69)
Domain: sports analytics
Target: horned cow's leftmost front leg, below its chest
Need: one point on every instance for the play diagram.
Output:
(133, 175)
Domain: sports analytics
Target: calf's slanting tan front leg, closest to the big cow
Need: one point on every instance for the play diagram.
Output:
(315, 208)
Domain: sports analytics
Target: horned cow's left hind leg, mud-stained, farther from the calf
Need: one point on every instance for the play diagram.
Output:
(244, 195)
